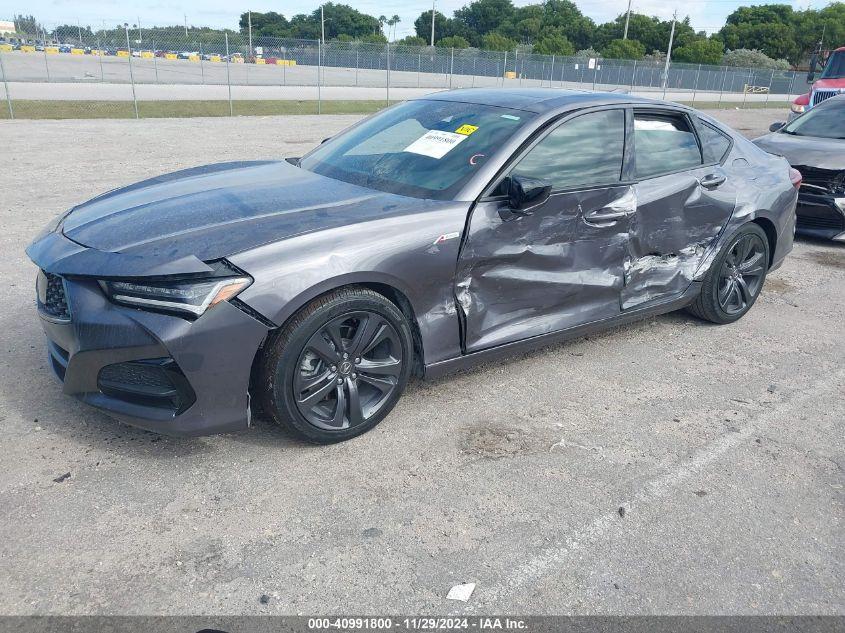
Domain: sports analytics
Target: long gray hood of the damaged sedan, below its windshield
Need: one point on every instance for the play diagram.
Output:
(207, 213)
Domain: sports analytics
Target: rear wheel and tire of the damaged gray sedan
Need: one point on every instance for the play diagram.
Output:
(735, 278)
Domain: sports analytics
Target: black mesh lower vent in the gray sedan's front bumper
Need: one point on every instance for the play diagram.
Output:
(154, 382)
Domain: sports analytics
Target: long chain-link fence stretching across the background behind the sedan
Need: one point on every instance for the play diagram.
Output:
(123, 72)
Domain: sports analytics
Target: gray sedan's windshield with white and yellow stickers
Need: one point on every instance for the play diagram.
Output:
(423, 149)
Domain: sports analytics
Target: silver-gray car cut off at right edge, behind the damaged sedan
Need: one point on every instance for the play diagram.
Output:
(814, 144)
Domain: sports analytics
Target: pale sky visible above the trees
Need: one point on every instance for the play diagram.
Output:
(706, 15)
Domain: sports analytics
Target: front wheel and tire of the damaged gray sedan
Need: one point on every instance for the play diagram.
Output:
(337, 367)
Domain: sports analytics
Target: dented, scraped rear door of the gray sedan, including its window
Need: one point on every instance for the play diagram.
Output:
(684, 200)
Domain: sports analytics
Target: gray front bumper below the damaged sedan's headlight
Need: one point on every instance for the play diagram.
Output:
(213, 354)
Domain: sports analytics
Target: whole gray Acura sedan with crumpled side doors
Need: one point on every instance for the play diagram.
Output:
(439, 233)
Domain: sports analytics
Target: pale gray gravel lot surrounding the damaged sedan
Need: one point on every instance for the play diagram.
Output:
(666, 467)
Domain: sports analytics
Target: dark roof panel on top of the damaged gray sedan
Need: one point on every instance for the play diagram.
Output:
(539, 100)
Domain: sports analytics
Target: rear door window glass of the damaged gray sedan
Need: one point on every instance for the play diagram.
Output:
(664, 143)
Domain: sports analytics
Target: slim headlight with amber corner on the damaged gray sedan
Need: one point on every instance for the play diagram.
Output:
(191, 296)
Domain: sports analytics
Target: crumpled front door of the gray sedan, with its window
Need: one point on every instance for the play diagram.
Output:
(562, 264)
